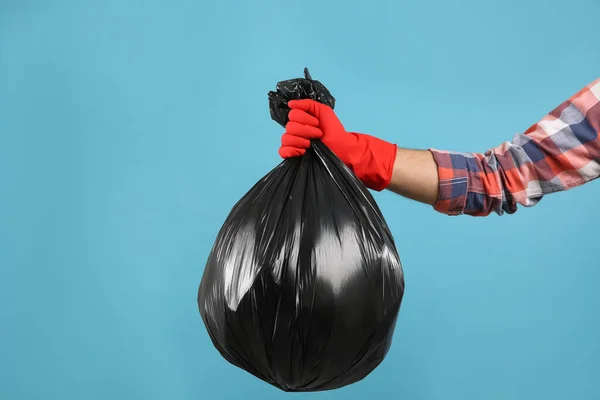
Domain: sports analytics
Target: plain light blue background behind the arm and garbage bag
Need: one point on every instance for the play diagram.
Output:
(128, 129)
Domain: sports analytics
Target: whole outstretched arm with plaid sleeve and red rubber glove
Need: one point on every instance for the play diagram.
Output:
(559, 152)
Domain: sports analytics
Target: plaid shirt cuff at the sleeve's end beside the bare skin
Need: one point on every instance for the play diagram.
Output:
(453, 182)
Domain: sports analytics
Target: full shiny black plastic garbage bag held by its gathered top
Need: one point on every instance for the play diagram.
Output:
(303, 285)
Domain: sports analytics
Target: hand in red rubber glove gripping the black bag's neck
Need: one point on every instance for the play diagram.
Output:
(371, 159)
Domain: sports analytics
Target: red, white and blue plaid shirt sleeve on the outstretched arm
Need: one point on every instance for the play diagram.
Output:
(560, 152)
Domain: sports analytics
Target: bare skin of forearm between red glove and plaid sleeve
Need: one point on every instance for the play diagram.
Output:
(415, 176)
